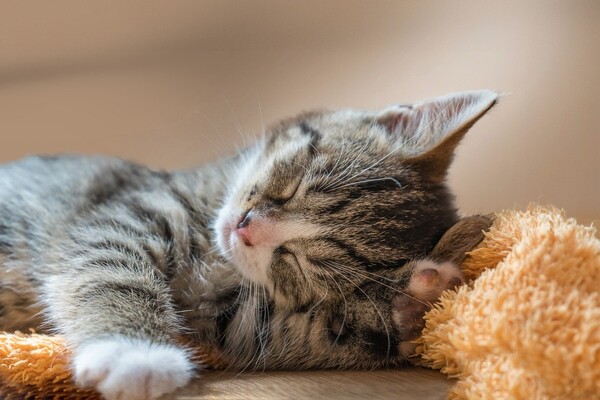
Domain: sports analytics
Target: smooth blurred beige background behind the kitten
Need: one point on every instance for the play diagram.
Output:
(170, 83)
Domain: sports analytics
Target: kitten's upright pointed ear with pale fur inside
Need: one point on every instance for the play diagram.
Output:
(427, 132)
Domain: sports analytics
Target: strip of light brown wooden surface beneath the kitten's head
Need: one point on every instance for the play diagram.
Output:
(400, 384)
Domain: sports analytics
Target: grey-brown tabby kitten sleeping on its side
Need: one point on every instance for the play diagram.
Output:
(297, 253)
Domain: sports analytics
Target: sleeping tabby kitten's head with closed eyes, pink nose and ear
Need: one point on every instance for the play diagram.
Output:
(328, 197)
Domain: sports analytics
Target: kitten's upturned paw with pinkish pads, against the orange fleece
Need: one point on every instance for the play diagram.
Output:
(427, 282)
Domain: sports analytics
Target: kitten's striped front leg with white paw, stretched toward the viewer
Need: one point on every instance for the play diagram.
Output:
(122, 327)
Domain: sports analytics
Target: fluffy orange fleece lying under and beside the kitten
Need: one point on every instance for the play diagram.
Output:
(526, 327)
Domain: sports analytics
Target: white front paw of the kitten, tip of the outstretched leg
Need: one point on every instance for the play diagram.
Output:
(130, 369)
